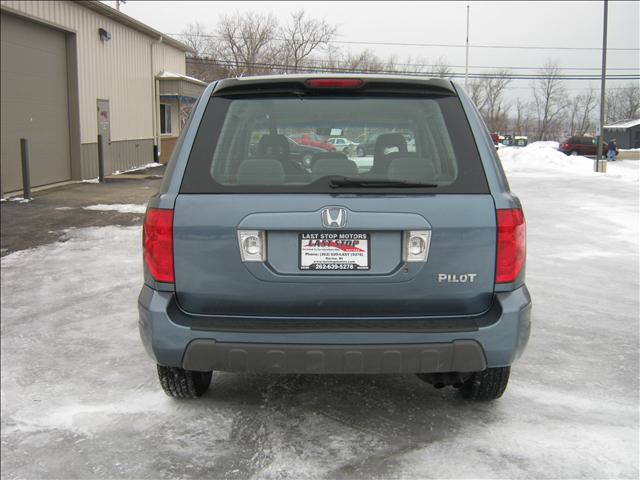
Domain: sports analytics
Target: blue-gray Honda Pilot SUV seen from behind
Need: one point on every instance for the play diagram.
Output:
(403, 261)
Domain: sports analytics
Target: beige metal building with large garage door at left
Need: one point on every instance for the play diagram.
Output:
(73, 70)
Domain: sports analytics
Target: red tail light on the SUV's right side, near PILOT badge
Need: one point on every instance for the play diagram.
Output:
(511, 244)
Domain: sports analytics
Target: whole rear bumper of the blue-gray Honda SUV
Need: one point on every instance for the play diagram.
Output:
(174, 338)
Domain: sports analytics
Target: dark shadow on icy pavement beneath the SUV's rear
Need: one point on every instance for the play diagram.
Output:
(375, 417)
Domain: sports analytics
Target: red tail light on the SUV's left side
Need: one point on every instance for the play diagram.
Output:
(158, 244)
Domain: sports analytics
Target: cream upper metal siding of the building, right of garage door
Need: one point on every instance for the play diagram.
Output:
(118, 70)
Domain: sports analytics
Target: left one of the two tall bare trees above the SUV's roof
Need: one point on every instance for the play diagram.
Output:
(246, 42)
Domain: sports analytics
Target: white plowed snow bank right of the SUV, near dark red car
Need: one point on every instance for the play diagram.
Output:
(544, 158)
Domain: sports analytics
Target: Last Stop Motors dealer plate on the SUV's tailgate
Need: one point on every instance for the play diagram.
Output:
(342, 251)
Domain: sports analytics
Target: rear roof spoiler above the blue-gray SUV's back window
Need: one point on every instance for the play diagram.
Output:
(370, 82)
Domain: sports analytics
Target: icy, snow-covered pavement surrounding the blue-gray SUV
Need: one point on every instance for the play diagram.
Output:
(80, 397)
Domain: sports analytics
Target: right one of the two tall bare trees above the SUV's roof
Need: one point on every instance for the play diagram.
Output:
(302, 36)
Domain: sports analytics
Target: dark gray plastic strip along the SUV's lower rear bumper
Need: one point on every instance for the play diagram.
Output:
(457, 356)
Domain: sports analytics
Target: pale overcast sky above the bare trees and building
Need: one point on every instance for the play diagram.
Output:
(536, 24)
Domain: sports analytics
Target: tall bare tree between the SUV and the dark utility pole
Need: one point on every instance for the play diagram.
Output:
(549, 101)
